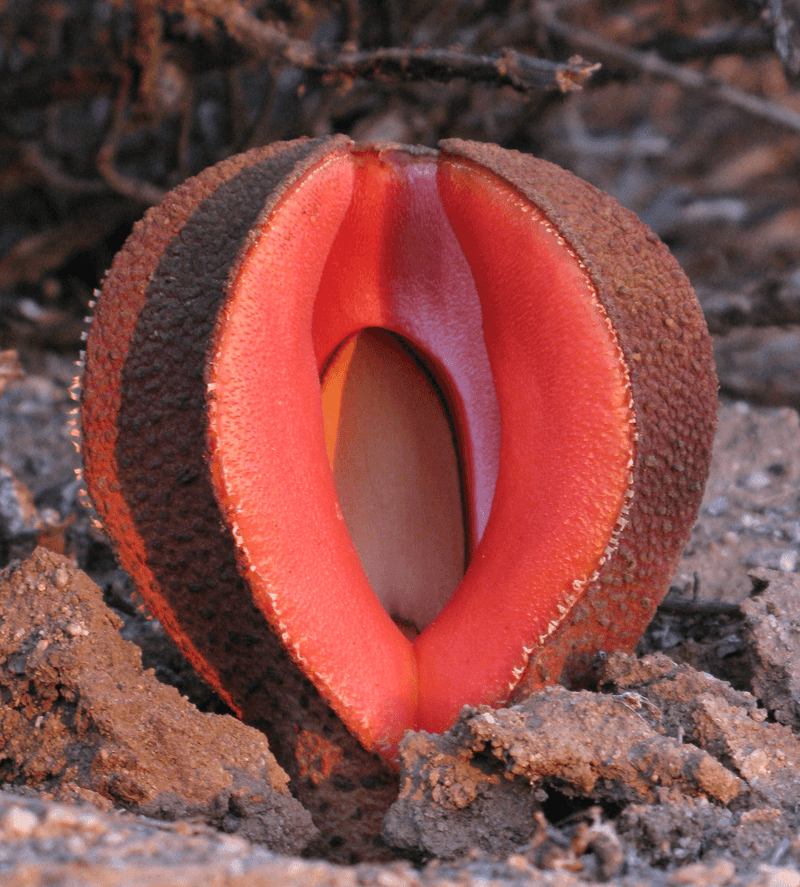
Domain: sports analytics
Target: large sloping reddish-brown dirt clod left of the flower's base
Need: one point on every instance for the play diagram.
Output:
(81, 719)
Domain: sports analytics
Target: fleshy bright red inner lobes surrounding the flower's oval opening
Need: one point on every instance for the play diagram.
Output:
(436, 251)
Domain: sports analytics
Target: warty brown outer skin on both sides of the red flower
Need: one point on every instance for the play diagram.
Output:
(144, 420)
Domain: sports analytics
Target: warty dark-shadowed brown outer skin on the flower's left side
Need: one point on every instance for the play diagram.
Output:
(144, 427)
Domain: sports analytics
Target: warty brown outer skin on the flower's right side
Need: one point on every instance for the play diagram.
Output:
(667, 349)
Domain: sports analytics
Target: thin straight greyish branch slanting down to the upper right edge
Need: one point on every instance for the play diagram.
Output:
(651, 63)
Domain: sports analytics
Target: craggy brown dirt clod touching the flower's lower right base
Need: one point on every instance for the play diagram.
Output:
(484, 779)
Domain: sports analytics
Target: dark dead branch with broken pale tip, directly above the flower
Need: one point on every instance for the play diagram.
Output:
(505, 68)
